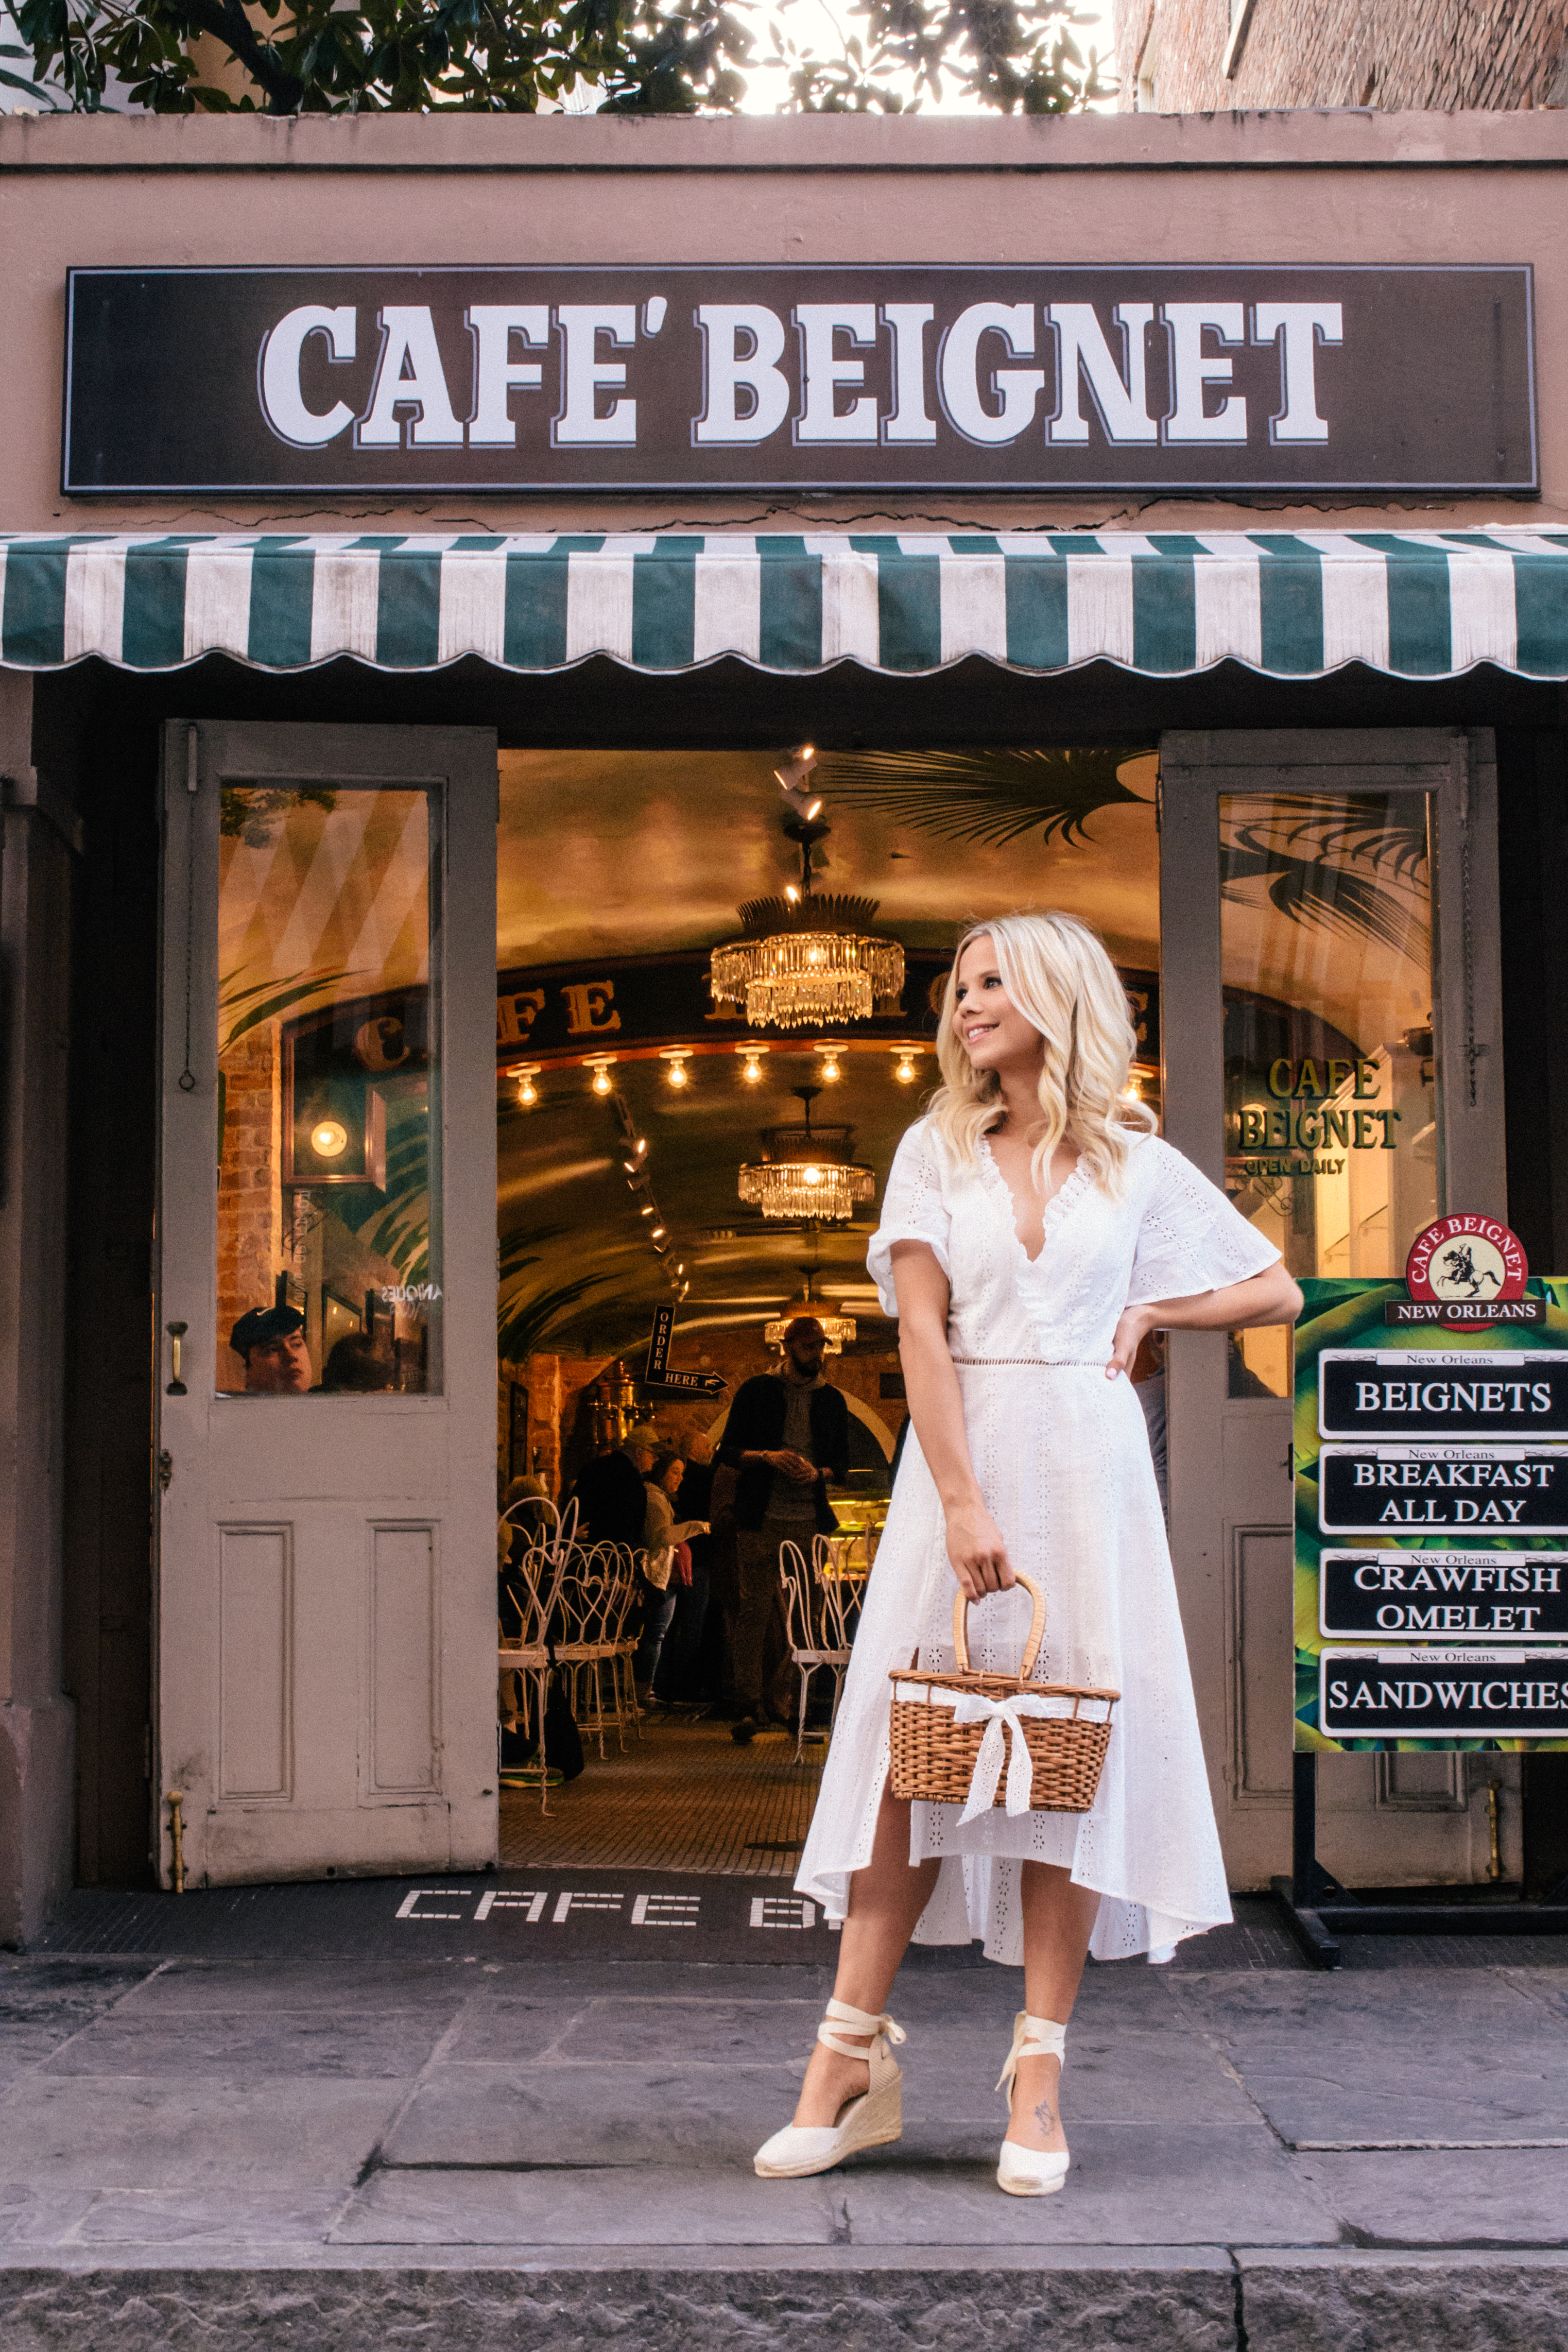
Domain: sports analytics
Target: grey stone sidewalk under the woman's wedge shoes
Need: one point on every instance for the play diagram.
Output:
(551, 2153)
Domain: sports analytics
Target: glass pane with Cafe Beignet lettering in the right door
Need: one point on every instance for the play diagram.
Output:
(1332, 1090)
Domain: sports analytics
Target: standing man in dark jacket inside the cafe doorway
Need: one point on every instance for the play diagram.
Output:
(786, 1438)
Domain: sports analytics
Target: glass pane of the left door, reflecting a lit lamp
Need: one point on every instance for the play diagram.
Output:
(328, 1093)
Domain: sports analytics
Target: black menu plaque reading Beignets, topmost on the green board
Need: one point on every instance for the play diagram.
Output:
(1442, 1394)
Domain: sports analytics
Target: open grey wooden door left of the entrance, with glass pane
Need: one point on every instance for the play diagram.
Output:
(328, 1201)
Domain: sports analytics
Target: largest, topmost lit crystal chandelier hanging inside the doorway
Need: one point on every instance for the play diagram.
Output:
(805, 961)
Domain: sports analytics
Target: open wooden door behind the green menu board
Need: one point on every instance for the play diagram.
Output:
(1325, 855)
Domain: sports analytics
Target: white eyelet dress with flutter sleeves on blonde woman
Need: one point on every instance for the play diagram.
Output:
(1064, 1464)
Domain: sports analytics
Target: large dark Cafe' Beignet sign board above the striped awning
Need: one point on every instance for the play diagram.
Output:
(800, 377)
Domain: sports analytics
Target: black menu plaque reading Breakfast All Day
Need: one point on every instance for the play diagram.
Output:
(1435, 1490)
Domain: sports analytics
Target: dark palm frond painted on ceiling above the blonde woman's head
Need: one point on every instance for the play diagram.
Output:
(984, 796)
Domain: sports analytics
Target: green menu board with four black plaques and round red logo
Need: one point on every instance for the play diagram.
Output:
(1433, 1506)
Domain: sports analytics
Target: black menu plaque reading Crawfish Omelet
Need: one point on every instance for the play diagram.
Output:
(1445, 1596)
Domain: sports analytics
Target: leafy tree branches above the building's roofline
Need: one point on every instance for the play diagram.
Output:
(643, 58)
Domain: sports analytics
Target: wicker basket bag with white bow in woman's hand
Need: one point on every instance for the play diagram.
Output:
(951, 1730)
